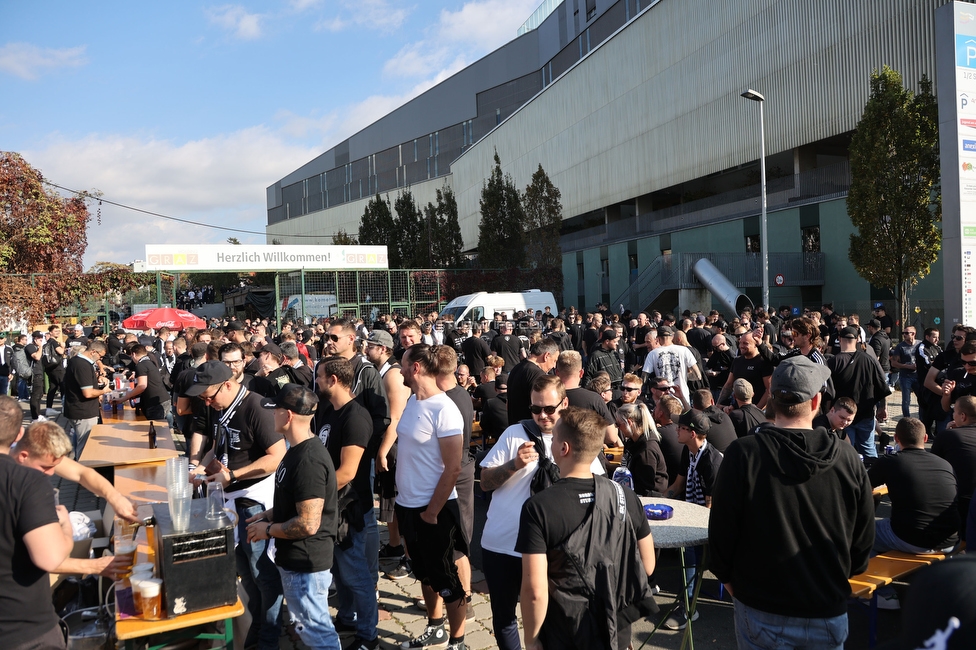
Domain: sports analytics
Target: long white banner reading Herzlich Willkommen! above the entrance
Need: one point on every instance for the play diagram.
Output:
(189, 258)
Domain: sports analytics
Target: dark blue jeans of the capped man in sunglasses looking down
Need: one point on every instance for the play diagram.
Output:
(261, 581)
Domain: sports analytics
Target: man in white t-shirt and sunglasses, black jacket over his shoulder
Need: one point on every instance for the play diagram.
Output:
(507, 472)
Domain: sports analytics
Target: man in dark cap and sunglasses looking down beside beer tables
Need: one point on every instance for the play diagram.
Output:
(247, 450)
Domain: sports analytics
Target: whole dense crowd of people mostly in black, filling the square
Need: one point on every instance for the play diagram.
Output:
(771, 420)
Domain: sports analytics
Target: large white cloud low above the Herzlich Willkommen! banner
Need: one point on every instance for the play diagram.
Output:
(219, 180)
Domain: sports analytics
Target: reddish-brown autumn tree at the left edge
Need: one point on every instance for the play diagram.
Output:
(40, 232)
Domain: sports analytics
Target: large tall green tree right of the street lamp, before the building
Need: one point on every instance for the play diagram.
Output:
(895, 199)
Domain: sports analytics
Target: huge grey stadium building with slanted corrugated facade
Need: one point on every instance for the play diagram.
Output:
(634, 109)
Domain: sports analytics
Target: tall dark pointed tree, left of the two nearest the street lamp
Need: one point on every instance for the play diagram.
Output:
(500, 233)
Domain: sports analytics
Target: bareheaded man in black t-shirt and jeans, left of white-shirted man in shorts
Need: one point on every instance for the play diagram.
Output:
(345, 428)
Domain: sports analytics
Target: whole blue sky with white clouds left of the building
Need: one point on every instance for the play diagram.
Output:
(191, 110)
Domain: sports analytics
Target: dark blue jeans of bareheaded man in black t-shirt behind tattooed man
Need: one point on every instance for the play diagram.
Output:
(355, 589)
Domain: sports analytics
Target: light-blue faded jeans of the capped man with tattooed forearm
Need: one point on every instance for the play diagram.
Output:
(308, 603)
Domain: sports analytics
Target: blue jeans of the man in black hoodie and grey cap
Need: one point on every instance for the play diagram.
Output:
(759, 630)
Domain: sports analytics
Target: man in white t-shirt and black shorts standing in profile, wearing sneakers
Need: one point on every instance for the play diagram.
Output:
(428, 465)
